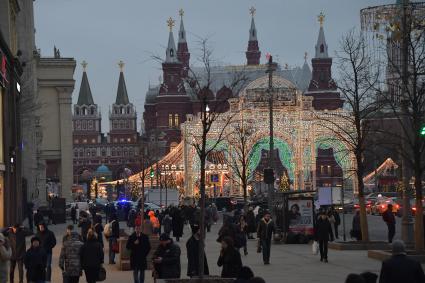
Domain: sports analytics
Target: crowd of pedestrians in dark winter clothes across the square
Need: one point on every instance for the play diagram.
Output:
(83, 251)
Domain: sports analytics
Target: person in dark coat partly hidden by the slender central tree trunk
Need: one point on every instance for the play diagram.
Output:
(192, 248)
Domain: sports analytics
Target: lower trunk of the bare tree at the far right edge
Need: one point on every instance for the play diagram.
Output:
(419, 229)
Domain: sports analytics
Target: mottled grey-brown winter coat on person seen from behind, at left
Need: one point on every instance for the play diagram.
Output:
(69, 259)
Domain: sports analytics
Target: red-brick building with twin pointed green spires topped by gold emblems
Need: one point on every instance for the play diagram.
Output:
(118, 150)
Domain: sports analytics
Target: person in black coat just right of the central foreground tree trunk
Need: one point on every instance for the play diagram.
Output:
(229, 259)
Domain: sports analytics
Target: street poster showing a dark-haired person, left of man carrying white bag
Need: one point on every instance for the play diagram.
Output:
(300, 216)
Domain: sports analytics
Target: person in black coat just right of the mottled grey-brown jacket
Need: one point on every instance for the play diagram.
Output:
(91, 257)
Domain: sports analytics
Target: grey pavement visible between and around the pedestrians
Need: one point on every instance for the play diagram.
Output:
(289, 263)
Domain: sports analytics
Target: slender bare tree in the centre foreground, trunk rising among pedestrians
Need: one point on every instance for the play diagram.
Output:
(210, 112)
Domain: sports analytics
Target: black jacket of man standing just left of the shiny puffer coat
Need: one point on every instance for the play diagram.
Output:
(139, 252)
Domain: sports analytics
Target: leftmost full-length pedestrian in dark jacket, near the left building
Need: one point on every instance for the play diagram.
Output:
(17, 242)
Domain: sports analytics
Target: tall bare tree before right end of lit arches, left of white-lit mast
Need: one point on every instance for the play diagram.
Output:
(356, 81)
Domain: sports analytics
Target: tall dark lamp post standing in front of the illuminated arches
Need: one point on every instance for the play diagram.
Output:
(271, 67)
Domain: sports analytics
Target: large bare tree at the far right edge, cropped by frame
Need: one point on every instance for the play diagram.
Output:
(405, 98)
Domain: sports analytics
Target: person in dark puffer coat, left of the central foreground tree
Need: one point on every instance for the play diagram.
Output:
(166, 259)
